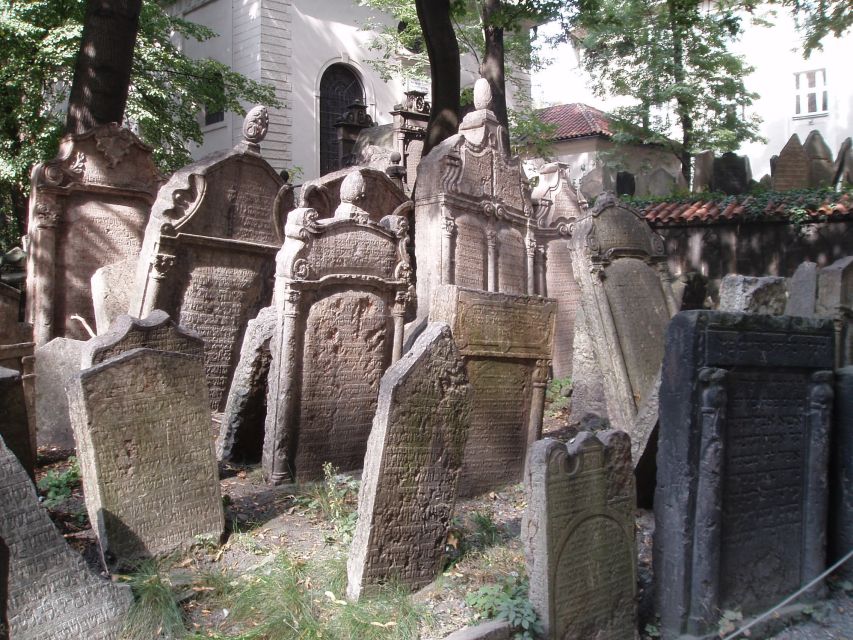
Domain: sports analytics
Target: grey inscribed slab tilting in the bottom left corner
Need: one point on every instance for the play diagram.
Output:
(51, 594)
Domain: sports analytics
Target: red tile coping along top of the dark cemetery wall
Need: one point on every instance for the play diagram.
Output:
(737, 209)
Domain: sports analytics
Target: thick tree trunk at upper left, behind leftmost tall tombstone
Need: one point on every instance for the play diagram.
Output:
(102, 73)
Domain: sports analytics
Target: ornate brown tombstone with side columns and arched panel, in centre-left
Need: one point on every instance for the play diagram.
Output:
(342, 286)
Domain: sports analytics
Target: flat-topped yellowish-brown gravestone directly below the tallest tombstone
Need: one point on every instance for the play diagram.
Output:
(506, 341)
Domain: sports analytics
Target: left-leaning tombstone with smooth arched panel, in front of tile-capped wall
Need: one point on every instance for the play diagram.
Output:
(626, 291)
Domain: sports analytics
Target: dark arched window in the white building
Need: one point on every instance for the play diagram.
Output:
(339, 88)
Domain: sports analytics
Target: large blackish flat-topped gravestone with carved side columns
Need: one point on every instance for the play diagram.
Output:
(741, 502)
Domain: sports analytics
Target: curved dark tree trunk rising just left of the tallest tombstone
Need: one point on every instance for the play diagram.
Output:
(443, 52)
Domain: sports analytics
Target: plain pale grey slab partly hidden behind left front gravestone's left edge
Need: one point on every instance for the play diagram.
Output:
(55, 364)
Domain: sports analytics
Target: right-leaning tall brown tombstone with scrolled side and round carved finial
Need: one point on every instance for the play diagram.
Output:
(208, 258)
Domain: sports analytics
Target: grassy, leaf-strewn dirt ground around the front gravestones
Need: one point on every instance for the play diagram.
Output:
(282, 571)
